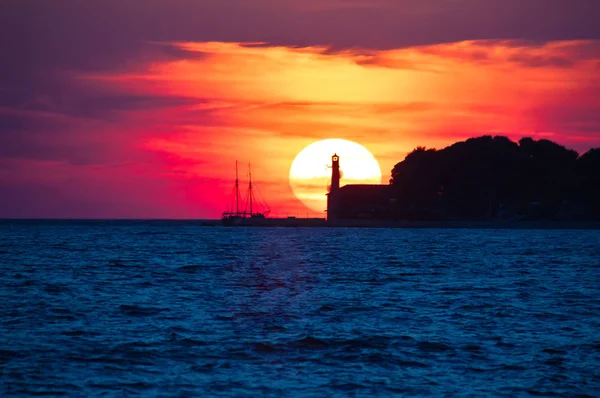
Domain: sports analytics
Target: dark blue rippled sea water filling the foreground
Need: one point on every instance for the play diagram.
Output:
(172, 309)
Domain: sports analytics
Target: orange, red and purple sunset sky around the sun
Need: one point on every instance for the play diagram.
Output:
(140, 108)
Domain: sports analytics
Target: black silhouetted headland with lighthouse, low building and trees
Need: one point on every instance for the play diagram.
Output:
(479, 182)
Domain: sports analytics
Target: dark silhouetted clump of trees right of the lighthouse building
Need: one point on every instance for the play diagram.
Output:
(494, 177)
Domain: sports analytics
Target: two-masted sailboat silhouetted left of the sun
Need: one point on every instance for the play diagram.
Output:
(246, 214)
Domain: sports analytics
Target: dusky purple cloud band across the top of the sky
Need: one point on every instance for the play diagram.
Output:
(43, 39)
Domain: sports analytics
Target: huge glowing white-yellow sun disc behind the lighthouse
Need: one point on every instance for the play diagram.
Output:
(310, 173)
